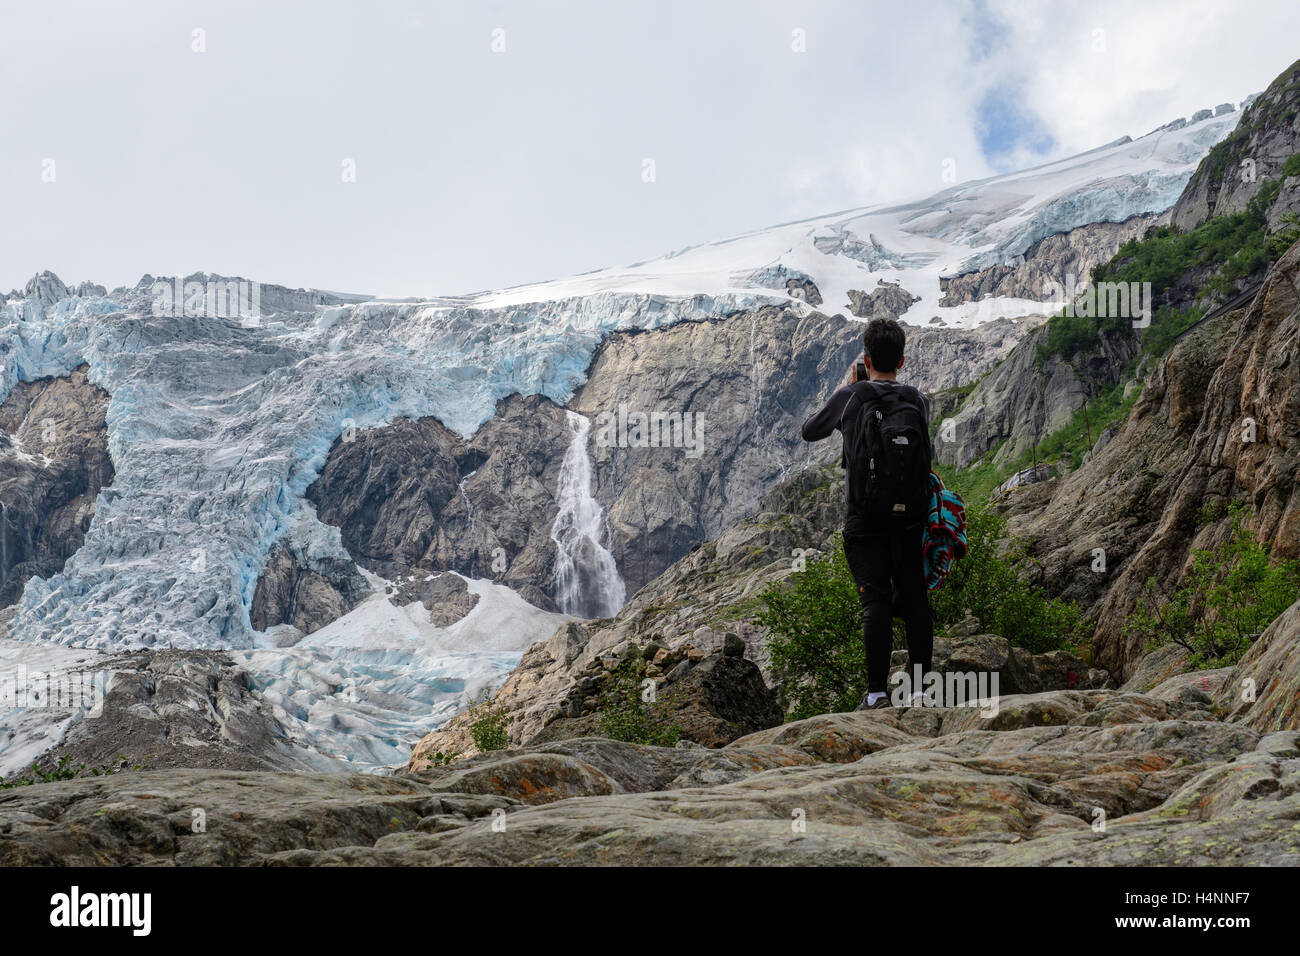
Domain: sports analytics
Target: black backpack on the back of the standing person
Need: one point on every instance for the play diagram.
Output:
(889, 449)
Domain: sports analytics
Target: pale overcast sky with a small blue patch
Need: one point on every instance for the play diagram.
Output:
(480, 168)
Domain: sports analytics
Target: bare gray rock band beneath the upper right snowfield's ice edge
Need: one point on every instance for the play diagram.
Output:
(1050, 261)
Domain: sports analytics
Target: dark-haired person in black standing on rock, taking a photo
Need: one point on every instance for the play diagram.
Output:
(887, 456)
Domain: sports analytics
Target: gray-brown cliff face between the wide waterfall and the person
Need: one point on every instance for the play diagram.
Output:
(751, 382)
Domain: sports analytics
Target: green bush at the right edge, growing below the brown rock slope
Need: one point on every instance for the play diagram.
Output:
(1232, 594)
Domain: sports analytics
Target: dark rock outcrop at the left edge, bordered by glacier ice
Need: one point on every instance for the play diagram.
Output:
(54, 462)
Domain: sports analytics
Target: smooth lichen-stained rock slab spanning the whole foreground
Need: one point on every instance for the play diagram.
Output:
(920, 786)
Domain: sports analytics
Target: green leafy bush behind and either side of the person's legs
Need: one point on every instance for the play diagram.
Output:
(814, 621)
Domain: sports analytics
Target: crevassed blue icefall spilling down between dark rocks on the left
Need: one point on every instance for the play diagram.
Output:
(216, 431)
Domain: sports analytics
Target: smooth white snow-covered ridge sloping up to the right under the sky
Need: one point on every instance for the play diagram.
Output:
(961, 230)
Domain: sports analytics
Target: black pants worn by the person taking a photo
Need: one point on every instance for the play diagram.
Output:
(887, 566)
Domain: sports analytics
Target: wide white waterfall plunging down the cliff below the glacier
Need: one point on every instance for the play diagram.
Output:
(587, 577)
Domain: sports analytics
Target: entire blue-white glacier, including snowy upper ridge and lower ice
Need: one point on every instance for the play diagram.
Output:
(218, 426)
